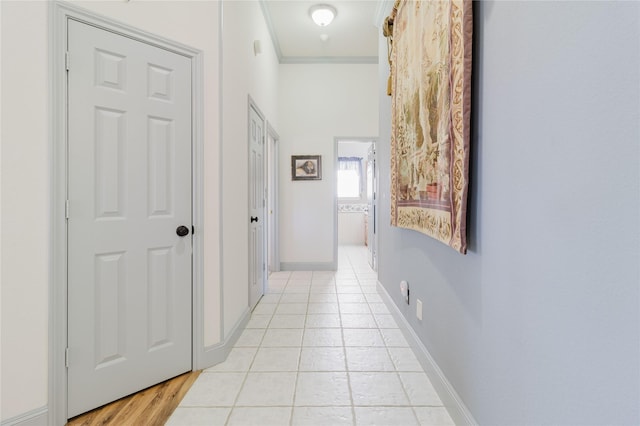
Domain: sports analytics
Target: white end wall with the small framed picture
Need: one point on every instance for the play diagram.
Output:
(317, 104)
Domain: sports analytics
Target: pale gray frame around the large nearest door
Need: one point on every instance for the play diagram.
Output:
(59, 15)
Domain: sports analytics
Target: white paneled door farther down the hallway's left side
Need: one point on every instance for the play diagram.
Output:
(257, 247)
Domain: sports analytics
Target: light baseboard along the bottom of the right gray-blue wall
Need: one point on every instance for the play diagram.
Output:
(450, 398)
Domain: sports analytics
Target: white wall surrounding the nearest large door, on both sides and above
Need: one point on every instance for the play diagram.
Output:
(25, 176)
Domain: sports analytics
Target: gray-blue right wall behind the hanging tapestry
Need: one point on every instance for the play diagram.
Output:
(539, 322)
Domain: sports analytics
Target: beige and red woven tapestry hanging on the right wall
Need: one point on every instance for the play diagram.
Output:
(430, 58)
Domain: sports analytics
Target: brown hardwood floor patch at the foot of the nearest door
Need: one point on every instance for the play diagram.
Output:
(150, 407)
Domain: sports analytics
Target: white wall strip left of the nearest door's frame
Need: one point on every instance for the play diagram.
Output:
(25, 207)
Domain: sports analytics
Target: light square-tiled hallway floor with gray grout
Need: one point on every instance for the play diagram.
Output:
(321, 348)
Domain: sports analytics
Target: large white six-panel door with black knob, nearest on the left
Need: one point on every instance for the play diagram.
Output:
(129, 189)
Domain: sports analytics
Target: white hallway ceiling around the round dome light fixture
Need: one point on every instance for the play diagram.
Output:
(352, 36)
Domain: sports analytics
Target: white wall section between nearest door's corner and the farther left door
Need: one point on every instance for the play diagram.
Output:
(244, 74)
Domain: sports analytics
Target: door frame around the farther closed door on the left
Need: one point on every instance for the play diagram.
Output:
(251, 105)
